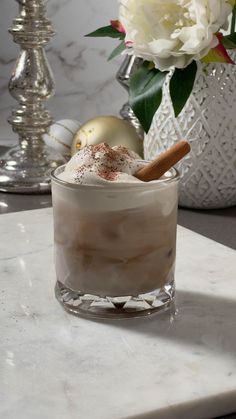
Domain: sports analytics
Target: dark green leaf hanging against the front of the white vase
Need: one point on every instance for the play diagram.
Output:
(181, 86)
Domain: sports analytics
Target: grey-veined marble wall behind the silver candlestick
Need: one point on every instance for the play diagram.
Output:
(85, 81)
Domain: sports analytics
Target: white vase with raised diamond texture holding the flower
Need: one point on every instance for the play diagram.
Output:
(208, 122)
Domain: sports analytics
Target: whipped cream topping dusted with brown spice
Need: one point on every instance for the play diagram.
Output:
(99, 164)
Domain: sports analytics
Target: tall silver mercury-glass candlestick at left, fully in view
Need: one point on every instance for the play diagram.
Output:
(26, 168)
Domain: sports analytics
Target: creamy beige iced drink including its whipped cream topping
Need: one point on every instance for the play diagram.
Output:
(114, 234)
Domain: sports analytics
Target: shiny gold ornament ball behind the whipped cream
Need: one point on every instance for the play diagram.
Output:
(107, 129)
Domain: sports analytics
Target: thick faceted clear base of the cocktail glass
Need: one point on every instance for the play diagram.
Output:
(93, 306)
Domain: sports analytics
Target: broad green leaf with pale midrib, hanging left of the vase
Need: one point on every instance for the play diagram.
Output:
(146, 93)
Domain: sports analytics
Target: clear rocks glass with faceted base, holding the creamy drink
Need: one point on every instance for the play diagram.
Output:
(115, 246)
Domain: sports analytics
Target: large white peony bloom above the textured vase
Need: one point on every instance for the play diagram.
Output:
(172, 33)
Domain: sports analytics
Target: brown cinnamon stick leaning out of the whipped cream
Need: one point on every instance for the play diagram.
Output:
(158, 167)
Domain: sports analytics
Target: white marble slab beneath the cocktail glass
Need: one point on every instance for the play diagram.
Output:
(170, 366)
